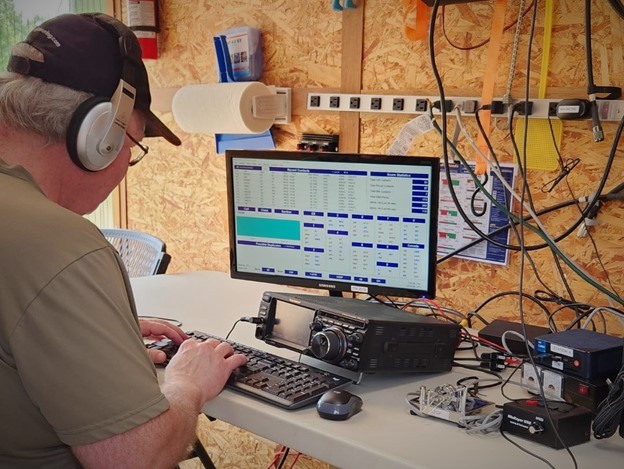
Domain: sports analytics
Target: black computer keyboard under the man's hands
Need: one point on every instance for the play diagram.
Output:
(279, 381)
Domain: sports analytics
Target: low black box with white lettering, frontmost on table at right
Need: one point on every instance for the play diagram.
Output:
(528, 418)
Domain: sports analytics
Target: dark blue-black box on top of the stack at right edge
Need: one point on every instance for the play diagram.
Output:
(580, 352)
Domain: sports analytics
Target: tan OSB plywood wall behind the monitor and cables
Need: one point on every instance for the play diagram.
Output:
(179, 193)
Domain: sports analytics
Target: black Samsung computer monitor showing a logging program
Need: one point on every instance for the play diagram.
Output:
(340, 222)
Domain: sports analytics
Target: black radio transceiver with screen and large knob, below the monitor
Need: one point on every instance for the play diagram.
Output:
(357, 335)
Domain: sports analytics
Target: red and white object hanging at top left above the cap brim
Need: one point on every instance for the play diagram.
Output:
(143, 20)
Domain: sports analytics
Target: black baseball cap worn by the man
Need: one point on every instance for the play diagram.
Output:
(91, 52)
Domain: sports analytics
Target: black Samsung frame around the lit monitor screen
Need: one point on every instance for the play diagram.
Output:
(337, 286)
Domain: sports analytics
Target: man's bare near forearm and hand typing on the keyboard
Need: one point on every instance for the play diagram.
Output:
(196, 374)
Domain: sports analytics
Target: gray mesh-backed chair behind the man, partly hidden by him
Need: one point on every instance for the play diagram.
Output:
(144, 254)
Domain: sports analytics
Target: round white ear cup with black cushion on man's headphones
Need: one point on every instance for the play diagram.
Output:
(86, 130)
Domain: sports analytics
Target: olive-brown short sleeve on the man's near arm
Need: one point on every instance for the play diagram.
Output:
(80, 354)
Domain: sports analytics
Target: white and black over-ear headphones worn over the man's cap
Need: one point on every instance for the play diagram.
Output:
(97, 129)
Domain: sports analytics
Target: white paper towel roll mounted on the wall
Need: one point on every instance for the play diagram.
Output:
(224, 108)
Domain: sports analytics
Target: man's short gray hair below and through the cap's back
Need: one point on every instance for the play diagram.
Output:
(30, 104)
